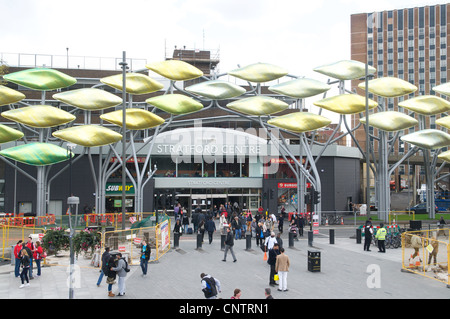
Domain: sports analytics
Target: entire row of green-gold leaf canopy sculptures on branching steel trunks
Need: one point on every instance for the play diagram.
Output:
(270, 112)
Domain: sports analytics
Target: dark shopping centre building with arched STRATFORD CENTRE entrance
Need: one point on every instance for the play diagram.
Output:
(206, 159)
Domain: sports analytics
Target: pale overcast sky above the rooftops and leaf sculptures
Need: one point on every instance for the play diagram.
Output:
(297, 35)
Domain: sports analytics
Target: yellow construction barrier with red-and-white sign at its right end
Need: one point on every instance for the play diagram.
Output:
(128, 241)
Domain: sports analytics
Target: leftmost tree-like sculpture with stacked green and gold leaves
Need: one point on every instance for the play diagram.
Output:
(39, 119)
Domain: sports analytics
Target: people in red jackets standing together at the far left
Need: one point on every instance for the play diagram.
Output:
(25, 254)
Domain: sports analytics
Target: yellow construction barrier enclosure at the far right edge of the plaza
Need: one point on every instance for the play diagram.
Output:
(427, 253)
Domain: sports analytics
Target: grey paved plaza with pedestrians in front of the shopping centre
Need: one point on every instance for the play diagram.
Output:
(346, 272)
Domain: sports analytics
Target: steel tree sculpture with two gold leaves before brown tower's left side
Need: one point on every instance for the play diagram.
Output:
(389, 125)
